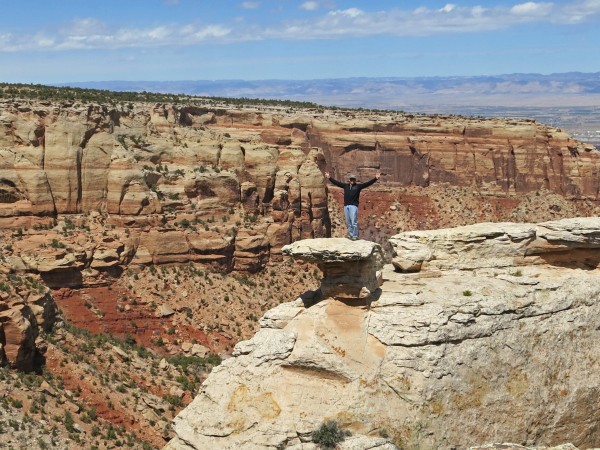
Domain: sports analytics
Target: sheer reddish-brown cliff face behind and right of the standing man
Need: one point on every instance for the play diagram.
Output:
(493, 156)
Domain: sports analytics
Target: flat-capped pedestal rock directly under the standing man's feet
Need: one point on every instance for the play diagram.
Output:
(351, 269)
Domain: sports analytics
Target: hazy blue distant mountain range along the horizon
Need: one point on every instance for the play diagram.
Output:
(520, 89)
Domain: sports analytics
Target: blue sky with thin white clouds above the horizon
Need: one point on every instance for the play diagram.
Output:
(54, 41)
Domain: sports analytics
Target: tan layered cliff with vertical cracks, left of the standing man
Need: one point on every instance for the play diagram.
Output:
(185, 188)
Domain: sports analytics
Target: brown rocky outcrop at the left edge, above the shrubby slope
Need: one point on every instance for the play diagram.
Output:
(26, 309)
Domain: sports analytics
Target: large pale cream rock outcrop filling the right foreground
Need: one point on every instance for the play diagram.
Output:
(491, 337)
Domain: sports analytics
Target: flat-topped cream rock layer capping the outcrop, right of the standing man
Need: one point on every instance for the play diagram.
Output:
(571, 242)
